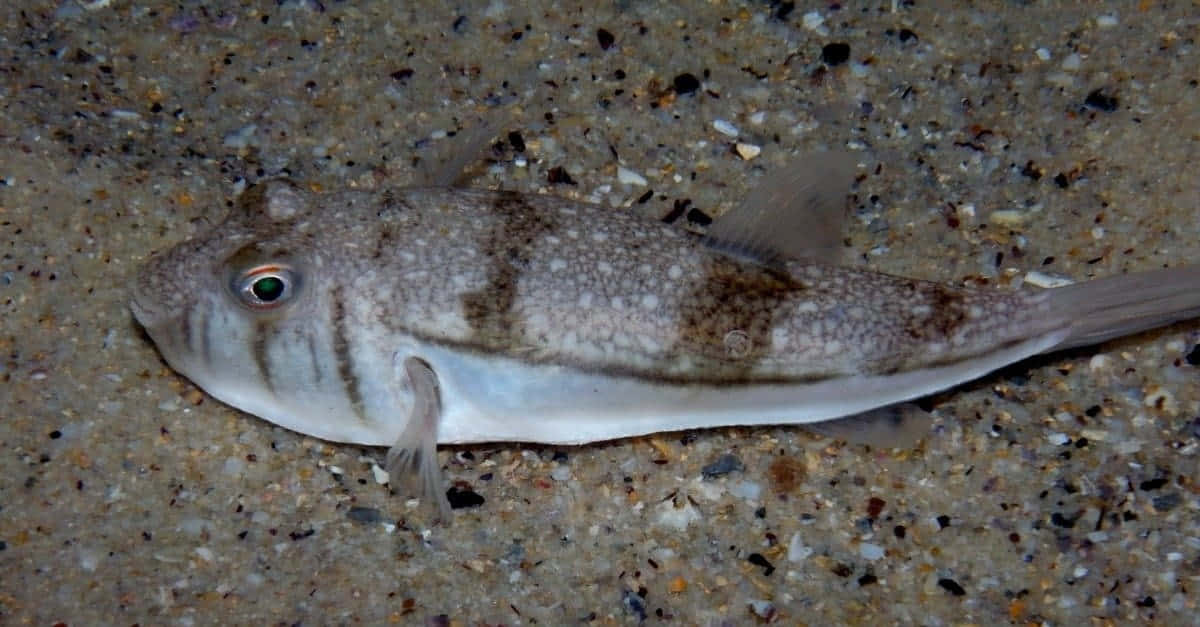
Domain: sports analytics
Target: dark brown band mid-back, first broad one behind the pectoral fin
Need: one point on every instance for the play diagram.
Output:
(508, 248)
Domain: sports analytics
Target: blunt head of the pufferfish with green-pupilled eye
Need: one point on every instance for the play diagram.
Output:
(243, 313)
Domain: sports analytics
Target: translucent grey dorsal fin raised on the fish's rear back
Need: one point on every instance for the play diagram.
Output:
(795, 213)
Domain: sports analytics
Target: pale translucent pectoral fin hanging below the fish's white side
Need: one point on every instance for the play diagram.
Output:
(416, 452)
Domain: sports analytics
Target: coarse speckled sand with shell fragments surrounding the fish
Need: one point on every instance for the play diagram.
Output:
(1001, 141)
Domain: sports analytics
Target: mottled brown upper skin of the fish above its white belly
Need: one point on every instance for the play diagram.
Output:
(605, 291)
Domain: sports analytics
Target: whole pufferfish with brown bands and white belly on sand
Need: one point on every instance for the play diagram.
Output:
(419, 317)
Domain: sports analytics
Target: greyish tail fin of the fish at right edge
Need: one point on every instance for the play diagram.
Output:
(1121, 306)
